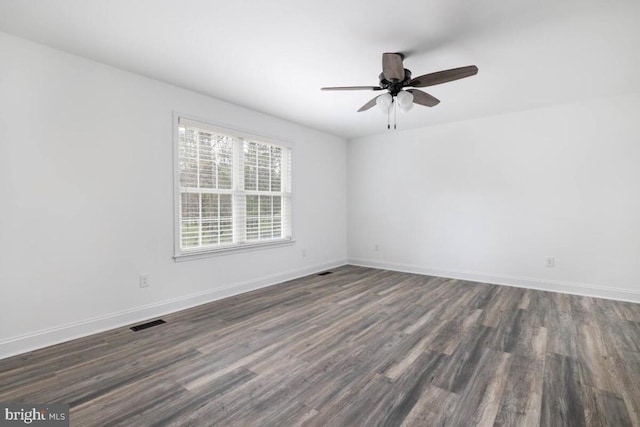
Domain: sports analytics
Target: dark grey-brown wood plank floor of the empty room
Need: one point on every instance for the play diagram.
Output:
(356, 347)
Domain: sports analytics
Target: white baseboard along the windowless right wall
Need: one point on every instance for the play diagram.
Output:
(519, 282)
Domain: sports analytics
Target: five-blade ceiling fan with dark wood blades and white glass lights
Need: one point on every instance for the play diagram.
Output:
(395, 78)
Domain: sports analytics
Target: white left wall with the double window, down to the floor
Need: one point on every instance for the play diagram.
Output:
(86, 194)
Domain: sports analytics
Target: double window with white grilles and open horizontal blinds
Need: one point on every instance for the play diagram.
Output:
(232, 189)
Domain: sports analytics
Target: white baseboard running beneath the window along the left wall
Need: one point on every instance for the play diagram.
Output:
(56, 335)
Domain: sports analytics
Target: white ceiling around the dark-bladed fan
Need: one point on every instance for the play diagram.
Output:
(274, 56)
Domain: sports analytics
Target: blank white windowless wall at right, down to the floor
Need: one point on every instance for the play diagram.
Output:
(489, 199)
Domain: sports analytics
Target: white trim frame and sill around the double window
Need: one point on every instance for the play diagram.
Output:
(198, 253)
